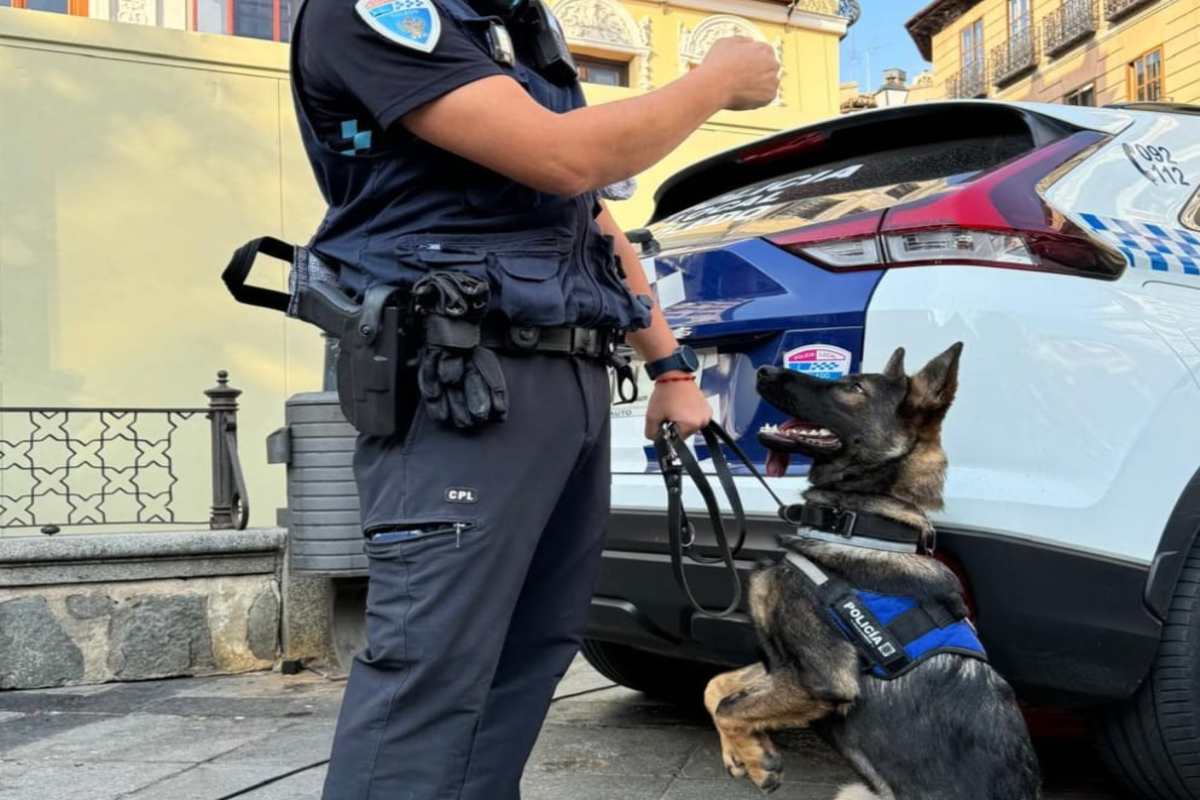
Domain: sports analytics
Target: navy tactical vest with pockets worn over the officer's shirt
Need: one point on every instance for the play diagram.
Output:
(397, 213)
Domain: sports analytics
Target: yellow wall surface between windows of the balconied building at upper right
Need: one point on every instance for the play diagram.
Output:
(1103, 59)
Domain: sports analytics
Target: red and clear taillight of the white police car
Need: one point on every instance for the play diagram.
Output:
(997, 220)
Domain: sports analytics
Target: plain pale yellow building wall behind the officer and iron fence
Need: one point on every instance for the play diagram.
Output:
(133, 161)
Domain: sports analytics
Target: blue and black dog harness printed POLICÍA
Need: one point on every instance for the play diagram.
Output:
(892, 634)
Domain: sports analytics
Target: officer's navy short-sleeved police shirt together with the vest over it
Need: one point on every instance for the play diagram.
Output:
(400, 207)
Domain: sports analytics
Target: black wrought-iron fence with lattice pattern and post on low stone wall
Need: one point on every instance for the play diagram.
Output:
(71, 467)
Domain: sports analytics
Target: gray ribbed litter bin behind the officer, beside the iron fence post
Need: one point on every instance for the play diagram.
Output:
(323, 519)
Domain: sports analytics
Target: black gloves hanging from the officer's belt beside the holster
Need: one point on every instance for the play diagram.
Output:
(460, 381)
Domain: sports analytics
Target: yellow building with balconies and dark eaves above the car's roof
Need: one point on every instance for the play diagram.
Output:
(1079, 52)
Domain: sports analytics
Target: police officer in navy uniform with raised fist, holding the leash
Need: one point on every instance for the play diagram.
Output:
(452, 143)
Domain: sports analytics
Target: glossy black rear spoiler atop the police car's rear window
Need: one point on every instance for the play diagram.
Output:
(849, 137)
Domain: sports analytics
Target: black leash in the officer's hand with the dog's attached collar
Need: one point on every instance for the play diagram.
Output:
(831, 524)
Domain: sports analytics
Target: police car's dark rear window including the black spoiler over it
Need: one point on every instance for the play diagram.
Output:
(877, 157)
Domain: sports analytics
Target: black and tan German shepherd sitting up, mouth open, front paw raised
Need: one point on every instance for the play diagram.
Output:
(949, 729)
